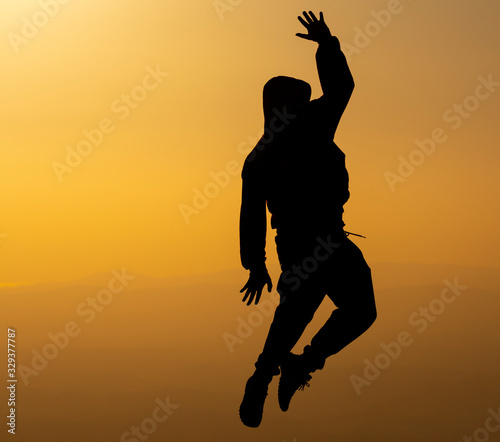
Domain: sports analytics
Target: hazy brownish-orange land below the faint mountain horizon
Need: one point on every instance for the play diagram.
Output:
(171, 340)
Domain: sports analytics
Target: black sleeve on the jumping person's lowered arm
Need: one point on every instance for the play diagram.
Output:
(253, 223)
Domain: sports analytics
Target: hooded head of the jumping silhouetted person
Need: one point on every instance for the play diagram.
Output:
(284, 92)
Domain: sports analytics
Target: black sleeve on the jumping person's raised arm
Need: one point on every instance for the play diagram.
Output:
(336, 82)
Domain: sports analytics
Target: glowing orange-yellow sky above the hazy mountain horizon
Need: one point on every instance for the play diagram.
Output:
(120, 205)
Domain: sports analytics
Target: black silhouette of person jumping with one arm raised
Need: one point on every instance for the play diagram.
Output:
(299, 172)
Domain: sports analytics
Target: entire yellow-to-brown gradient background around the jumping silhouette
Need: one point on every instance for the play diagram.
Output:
(120, 208)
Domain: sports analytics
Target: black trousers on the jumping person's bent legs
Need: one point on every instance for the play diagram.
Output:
(333, 268)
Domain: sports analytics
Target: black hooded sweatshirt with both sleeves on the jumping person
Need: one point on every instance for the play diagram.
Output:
(296, 169)
